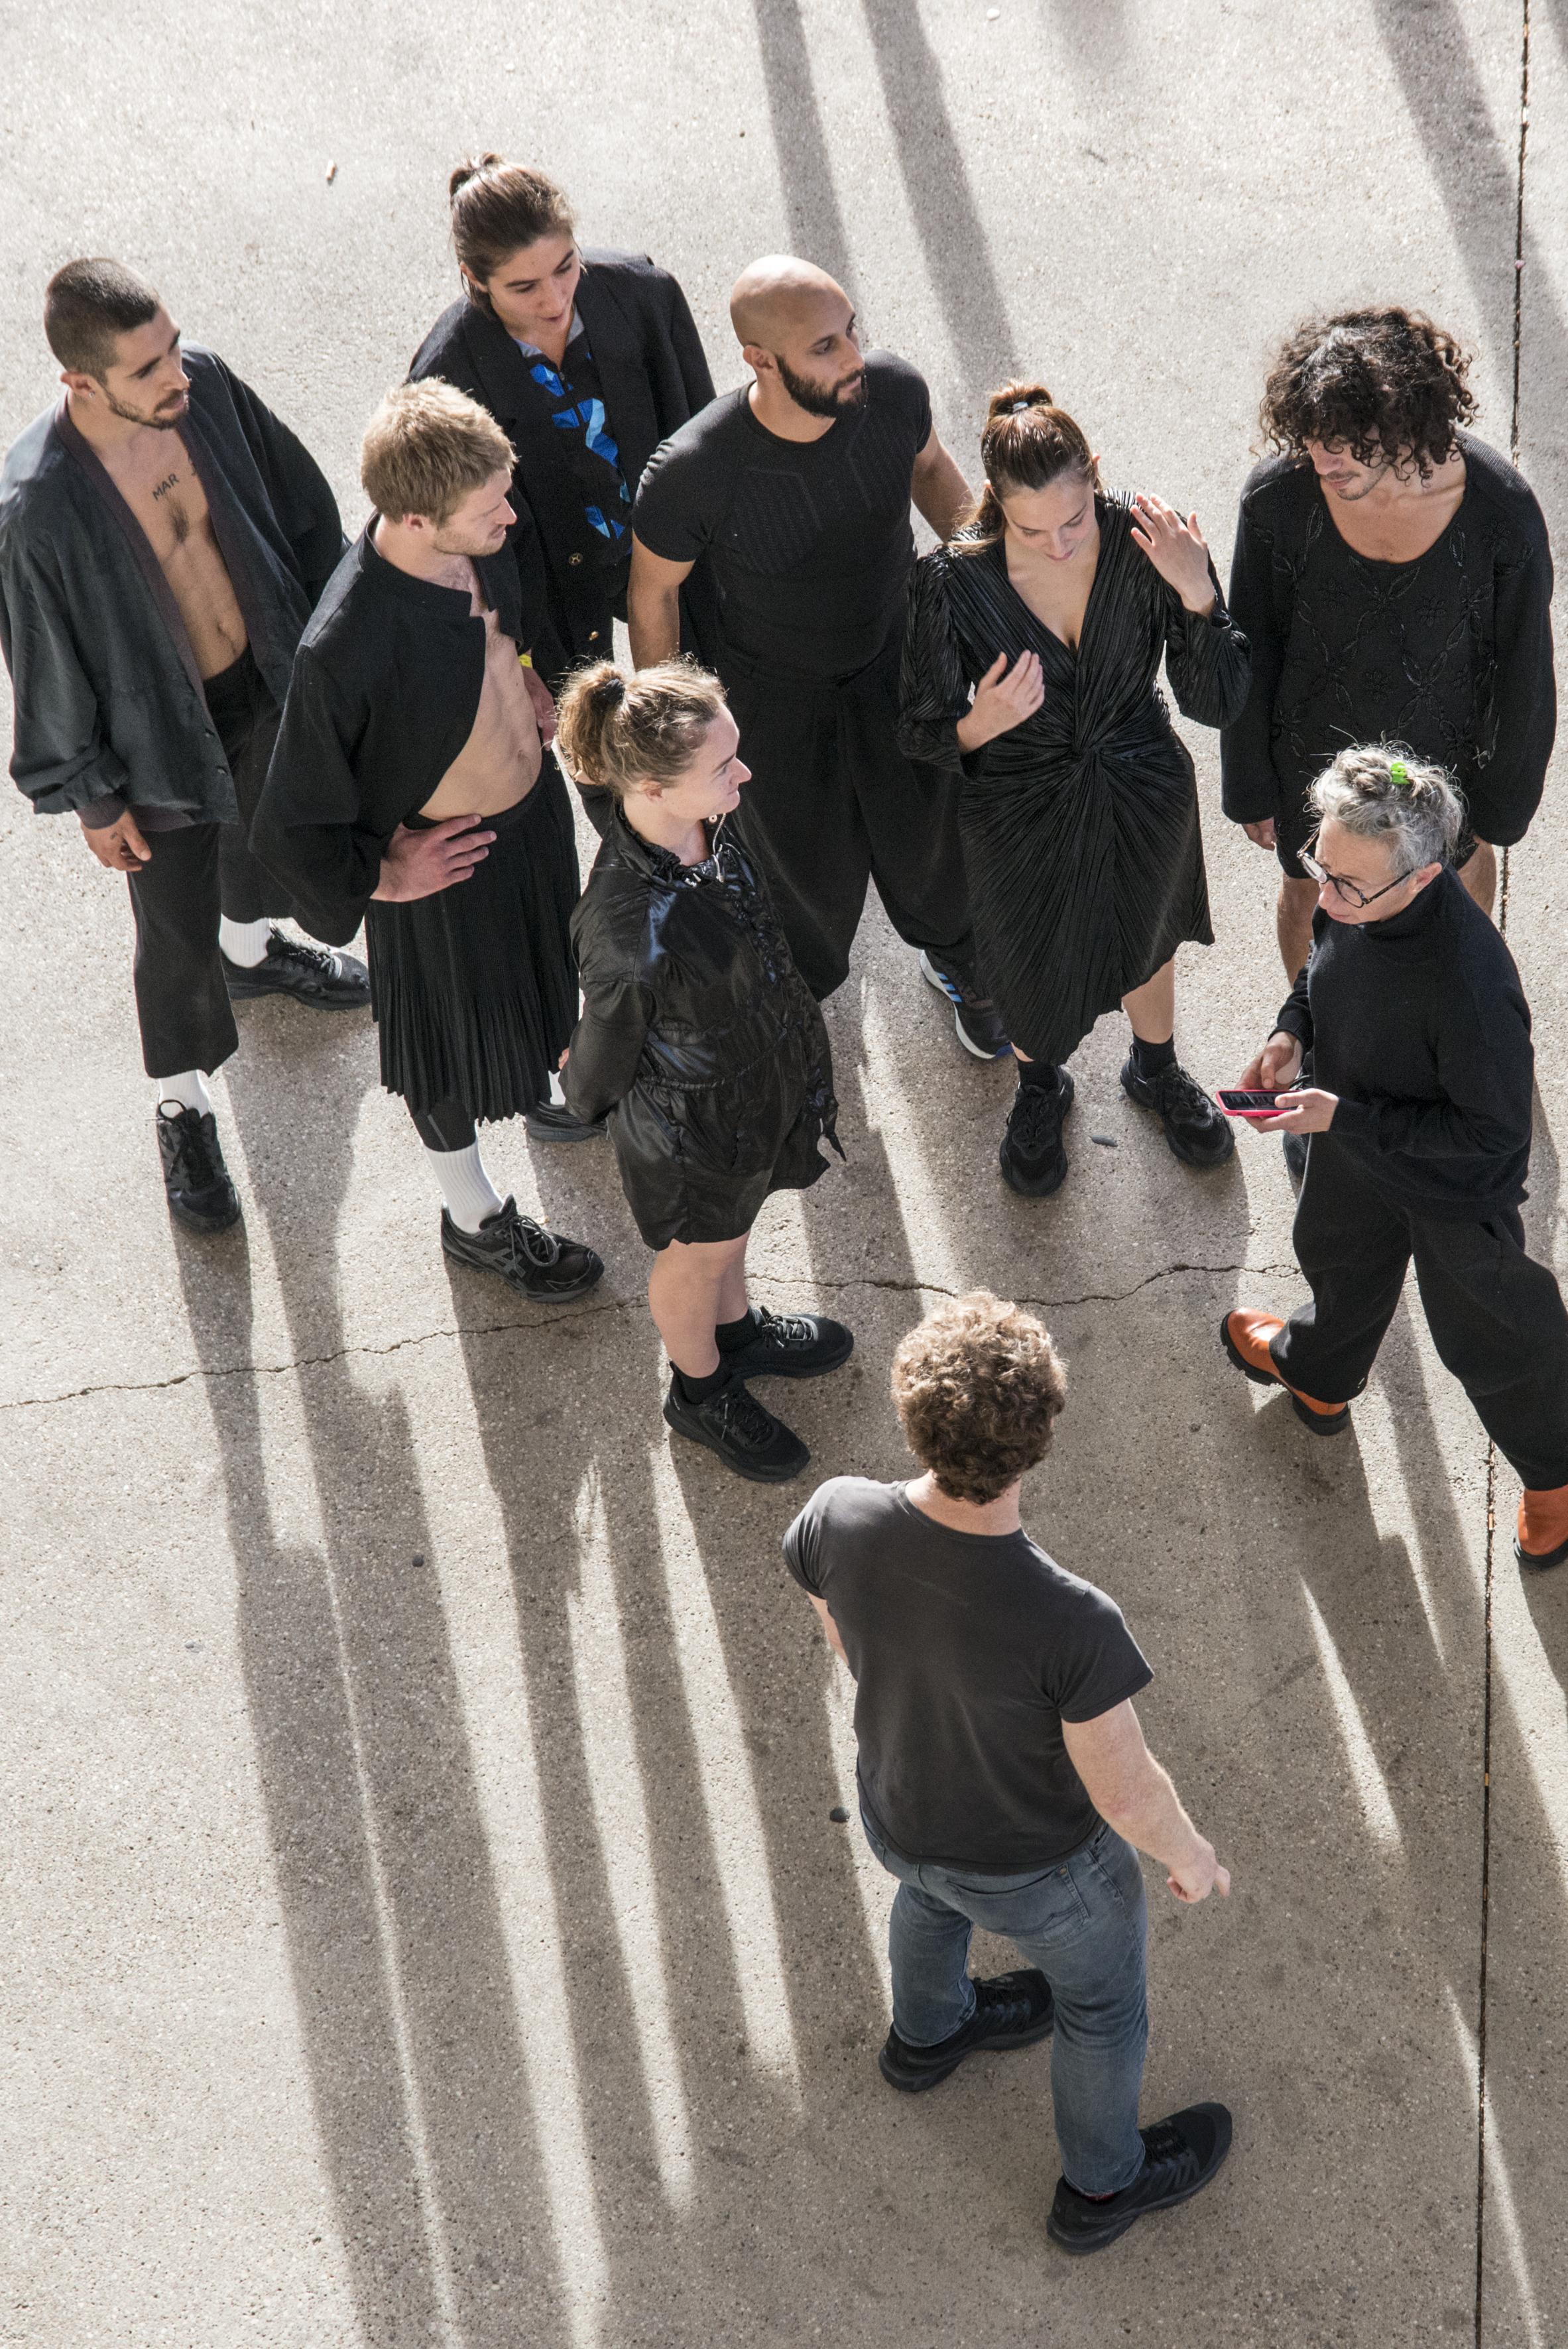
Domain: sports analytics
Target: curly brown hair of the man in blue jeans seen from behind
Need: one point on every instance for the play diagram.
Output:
(978, 1389)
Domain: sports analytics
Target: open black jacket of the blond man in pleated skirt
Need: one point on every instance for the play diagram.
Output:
(384, 696)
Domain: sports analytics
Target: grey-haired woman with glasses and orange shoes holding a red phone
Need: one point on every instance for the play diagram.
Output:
(1419, 1122)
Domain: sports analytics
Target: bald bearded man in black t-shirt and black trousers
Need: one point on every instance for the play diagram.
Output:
(799, 492)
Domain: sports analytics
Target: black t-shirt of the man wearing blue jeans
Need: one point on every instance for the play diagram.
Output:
(968, 1655)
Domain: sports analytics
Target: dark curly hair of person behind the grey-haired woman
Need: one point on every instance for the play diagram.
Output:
(1384, 384)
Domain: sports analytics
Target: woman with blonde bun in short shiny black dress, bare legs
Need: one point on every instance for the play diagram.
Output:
(703, 1046)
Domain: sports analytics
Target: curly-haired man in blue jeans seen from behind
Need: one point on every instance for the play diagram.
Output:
(1003, 1775)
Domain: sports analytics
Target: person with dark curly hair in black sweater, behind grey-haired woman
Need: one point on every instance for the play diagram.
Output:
(1395, 584)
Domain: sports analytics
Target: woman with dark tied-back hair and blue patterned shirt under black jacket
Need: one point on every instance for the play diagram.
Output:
(586, 361)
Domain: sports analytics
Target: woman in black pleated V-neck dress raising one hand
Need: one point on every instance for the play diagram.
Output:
(1032, 659)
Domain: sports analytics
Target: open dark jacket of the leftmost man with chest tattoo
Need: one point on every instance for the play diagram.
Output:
(109, 696)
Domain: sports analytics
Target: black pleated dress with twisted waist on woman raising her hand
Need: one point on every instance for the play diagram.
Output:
(1081, 826)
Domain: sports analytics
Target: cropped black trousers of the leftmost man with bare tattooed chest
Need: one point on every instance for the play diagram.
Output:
(196, 875)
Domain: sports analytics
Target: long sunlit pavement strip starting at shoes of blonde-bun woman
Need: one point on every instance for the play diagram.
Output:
(729, 1793)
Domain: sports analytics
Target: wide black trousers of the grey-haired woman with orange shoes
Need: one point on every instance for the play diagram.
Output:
(1494, 1314)
